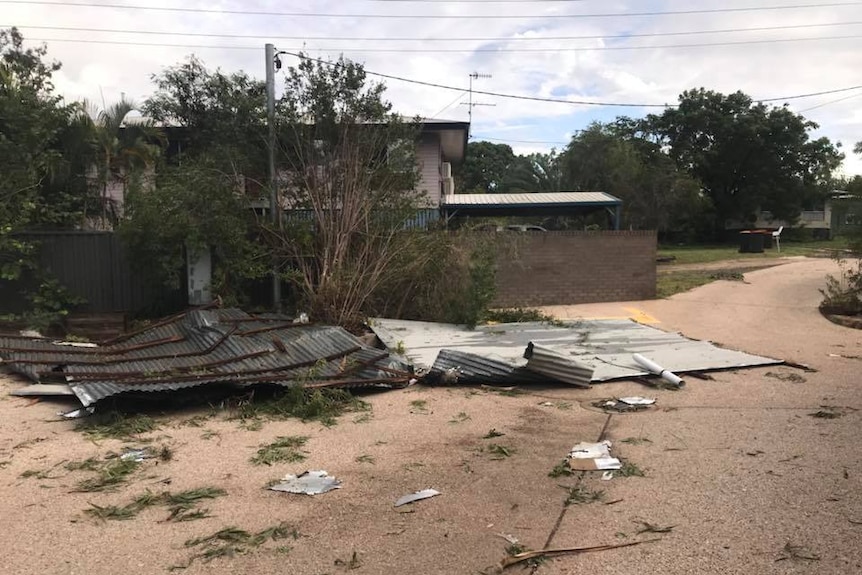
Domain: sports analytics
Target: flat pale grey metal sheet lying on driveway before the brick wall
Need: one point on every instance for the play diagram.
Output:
(606, 346)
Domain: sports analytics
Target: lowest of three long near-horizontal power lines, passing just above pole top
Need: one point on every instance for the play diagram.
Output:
(465, 50)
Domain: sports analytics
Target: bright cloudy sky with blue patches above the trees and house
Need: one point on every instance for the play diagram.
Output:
(618, 57)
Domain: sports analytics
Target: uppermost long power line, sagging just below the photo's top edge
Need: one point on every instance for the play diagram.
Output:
(430, 16)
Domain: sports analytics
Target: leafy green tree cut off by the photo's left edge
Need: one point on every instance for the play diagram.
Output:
(39, 140)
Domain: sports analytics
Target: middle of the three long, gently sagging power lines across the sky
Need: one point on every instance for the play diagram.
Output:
(436, 38)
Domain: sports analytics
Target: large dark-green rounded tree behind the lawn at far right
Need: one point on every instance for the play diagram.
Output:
(746, 155)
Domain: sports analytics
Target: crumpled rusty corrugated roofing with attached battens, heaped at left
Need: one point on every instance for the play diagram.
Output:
(204, 347)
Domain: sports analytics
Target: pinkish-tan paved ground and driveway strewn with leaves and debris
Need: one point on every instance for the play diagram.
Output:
(748, 479)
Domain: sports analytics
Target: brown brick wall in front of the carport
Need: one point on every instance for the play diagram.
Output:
(559, 268)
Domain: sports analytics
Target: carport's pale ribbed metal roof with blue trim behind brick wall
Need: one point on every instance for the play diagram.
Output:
(527, 204)
